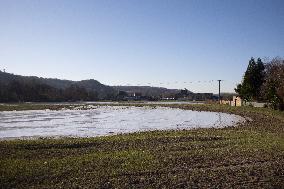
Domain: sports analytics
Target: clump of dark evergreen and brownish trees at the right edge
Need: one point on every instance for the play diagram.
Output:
(264, 82)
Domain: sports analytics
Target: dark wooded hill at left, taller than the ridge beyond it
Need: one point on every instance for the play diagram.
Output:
(32, 88)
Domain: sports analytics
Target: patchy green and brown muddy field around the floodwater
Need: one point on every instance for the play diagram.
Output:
(247, 156)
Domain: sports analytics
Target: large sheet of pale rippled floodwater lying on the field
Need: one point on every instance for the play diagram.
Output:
(106, 120)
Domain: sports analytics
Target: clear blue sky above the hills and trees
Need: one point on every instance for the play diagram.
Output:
(167, 43)
